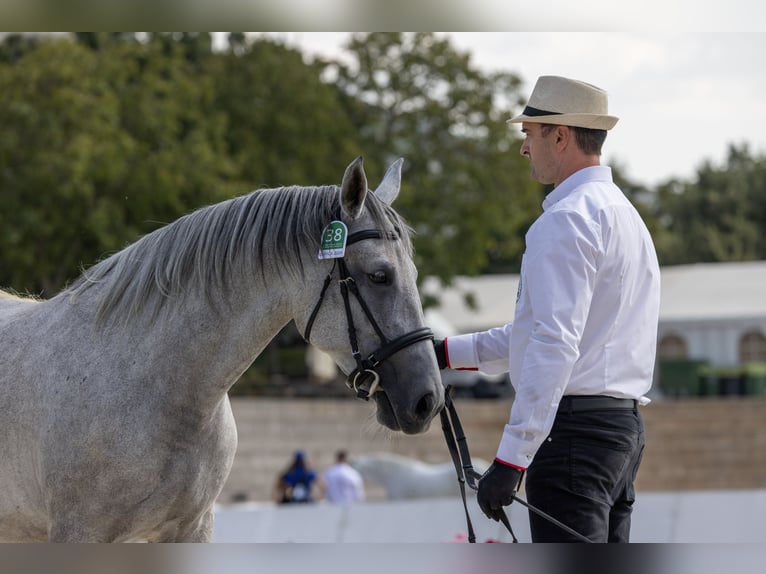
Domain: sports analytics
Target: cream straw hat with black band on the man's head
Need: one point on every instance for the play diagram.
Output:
(565, 102)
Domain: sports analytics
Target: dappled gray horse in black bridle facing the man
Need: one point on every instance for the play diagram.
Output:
(115, 423)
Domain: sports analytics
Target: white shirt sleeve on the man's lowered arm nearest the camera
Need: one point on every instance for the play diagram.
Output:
(559, 283)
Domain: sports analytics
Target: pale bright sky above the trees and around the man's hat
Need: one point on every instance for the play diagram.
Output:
(682, 97)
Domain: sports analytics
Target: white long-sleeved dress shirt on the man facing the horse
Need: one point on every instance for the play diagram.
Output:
(586, 311)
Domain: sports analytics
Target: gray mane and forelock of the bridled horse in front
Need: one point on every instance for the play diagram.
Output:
(263, 232)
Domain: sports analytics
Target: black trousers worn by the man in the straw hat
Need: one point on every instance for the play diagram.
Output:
(583, 474)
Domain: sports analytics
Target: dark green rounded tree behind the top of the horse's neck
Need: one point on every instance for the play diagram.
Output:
(285, 126)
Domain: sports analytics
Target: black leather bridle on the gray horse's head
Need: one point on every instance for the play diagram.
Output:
(364, 379)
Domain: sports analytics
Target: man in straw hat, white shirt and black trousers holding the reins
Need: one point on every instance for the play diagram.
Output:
(581, 348)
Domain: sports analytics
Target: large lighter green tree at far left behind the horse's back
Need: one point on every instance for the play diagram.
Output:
(101, 137)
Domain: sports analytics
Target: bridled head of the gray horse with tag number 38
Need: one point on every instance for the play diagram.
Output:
(372, 322)
